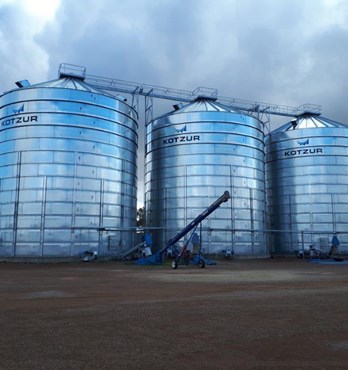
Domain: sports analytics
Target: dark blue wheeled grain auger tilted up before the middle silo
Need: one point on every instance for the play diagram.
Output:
(157, 258)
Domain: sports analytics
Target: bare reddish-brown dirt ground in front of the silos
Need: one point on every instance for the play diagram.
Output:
(238, 314)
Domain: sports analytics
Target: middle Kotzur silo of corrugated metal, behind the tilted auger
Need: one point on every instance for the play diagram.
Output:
(193, 155)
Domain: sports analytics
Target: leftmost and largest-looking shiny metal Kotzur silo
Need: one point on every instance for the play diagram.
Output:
(68, 170)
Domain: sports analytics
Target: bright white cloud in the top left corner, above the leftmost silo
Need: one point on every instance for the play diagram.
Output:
(21, 56)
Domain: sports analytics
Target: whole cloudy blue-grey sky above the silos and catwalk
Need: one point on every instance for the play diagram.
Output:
(287, 52)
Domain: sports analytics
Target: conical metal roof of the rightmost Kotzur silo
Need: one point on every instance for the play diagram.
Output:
(308, 121)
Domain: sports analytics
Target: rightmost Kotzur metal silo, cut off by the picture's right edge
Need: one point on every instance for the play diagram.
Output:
(307, 184)
